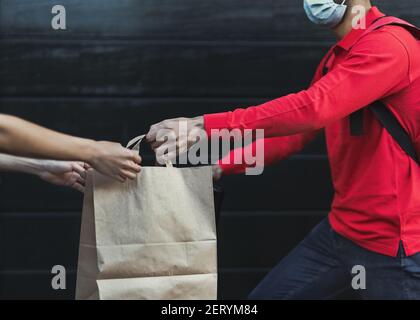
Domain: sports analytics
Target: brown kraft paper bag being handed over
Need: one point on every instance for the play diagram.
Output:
(149, 238)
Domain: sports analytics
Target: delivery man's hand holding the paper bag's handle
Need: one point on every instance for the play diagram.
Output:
(175, 136)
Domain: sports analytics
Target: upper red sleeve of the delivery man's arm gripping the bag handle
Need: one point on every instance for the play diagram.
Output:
(363, 77)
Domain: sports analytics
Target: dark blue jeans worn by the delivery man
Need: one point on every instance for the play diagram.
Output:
(320, 267)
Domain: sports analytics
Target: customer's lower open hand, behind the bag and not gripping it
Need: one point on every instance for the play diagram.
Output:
(63, 173)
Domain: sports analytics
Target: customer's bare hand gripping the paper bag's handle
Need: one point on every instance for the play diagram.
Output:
(115, 161)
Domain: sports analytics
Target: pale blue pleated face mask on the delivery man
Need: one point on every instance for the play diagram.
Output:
(325, 12)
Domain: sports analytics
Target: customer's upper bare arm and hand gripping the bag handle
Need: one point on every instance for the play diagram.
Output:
(22, 138)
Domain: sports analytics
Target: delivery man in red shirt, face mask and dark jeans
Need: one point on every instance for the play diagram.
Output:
(366, 95)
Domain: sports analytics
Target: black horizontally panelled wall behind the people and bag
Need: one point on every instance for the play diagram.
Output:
(122, 65)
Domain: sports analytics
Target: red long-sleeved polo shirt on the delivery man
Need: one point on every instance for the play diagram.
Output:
(377, 185)
